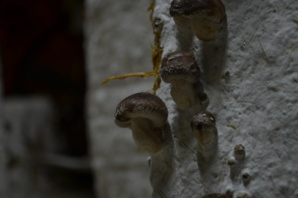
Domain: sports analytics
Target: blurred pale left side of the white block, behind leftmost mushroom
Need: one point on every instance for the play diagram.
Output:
(118, 41)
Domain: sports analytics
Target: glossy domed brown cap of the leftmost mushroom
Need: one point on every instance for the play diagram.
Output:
(141, 105)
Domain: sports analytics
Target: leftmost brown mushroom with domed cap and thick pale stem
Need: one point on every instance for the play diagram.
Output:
(146, 115)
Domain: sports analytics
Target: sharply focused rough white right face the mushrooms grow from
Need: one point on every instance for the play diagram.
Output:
(254, 101)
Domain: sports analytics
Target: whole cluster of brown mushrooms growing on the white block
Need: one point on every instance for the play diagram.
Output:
(147, 115)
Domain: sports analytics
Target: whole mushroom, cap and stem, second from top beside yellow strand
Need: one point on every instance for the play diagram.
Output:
(182, 71)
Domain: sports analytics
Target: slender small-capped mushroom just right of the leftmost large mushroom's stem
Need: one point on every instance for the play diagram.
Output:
(204, 129)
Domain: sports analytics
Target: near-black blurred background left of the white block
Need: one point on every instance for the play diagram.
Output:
(41, 50)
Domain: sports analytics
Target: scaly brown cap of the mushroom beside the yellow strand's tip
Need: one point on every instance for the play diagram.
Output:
(179, 66)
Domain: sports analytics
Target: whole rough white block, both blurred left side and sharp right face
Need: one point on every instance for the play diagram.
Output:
(252, 88)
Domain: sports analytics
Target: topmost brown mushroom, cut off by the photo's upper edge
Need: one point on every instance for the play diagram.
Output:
(206, 16)
